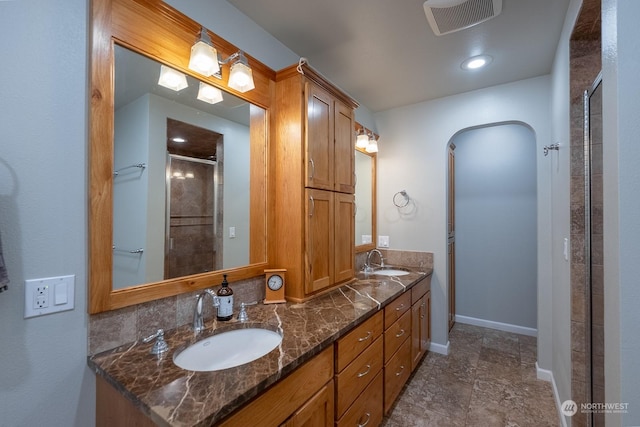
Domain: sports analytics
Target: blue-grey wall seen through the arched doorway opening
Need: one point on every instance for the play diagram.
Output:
(495, 219)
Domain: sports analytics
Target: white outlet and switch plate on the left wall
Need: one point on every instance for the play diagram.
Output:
(48, 295)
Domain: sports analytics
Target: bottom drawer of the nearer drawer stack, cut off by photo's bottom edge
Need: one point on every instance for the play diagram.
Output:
(367, 409)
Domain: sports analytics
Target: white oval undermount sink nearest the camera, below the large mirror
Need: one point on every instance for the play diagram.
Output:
(227, 349)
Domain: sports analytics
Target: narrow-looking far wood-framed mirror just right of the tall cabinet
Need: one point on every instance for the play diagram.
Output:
(365, 215)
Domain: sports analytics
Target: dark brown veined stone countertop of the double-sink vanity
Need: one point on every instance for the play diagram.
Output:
(172, 396)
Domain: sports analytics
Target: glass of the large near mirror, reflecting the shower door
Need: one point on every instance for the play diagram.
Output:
(181, 185)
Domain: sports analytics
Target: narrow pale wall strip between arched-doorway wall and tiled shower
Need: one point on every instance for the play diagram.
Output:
(560, 213)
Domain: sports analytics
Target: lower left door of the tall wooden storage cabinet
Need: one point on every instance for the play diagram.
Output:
(319, 240)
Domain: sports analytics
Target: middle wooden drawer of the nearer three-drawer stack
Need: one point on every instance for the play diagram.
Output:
(357, 375)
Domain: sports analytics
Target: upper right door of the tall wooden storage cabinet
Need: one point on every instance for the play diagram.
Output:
(344, 152)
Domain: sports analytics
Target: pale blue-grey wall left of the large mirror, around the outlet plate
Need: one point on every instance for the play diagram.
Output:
(44, 378)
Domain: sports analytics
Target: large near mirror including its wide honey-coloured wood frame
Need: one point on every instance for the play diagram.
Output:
(130, 232)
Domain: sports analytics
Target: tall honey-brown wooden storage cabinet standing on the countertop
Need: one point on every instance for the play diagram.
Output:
(314, 154)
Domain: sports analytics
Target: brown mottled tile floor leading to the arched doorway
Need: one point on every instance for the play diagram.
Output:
(488, 379)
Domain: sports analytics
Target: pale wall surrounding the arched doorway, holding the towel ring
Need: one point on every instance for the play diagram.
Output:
(413, 157)
